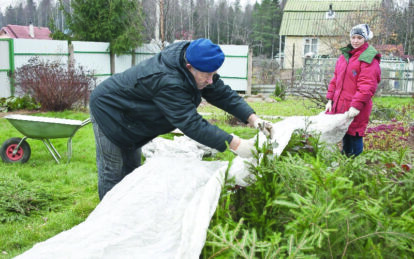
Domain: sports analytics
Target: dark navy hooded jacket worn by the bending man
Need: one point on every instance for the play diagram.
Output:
(158, 95)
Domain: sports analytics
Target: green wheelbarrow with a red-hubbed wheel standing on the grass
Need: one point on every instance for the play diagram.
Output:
(17, 150)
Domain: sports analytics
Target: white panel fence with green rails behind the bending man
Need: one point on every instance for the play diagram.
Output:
(95, 57)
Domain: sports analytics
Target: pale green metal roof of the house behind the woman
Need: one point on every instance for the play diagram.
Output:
(308, 17)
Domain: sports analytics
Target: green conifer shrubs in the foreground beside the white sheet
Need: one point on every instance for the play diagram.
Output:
(314, 202)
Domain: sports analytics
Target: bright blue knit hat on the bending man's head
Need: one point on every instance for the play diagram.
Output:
(204, 55)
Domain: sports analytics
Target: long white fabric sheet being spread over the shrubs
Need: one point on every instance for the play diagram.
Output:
(163, 208)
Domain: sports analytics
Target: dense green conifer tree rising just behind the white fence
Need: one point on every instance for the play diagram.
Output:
(118, 22)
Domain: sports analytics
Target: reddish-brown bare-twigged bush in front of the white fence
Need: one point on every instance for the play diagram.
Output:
(54, 85)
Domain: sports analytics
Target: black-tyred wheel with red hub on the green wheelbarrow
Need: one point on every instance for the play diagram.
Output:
(21, 156)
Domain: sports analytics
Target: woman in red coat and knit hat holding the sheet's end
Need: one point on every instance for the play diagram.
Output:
(356, 77)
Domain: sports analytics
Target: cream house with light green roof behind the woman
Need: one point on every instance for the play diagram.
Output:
(312, 28)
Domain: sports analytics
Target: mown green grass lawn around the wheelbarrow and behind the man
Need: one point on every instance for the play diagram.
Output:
(41, 198)
